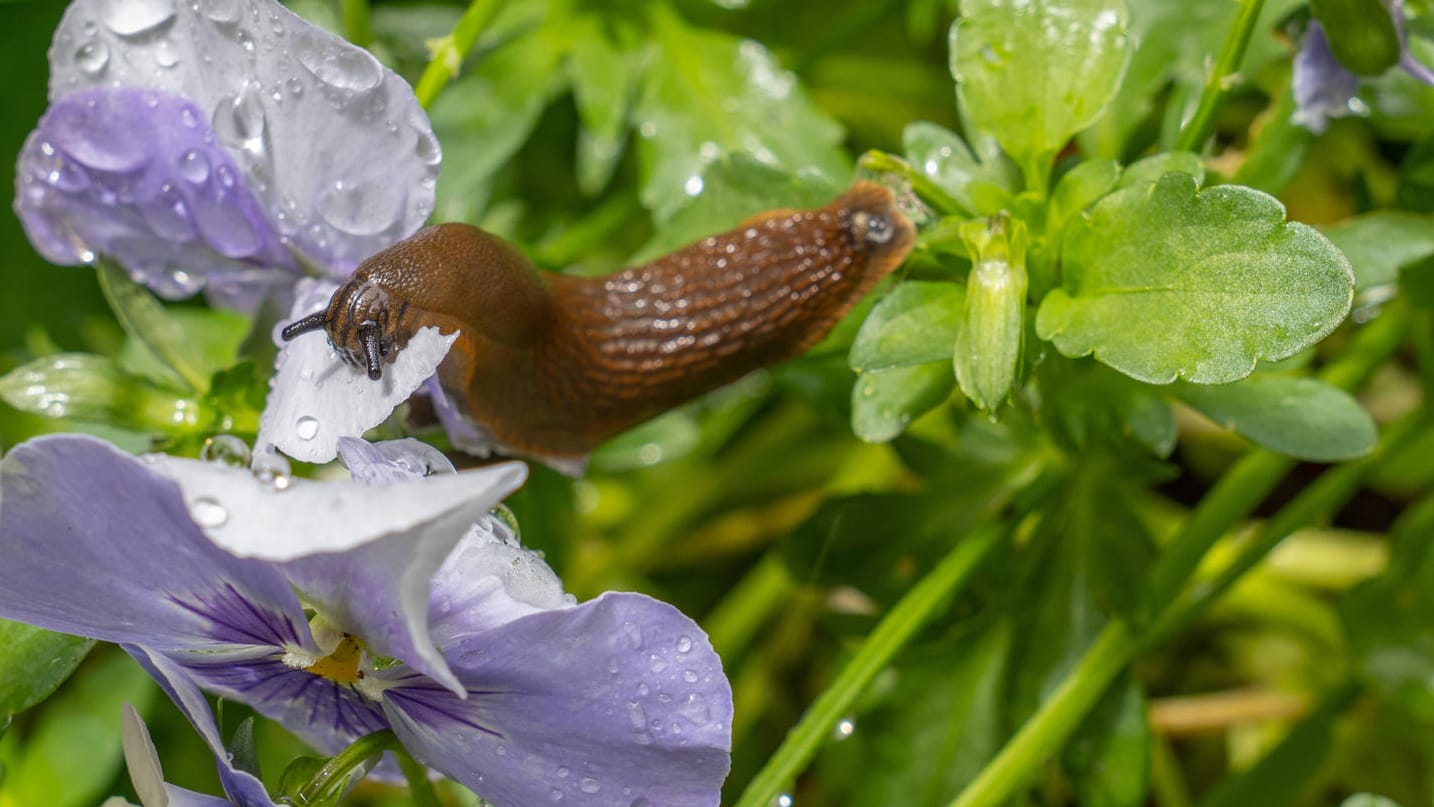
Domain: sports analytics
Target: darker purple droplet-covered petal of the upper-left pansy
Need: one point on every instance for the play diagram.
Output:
(137, 176)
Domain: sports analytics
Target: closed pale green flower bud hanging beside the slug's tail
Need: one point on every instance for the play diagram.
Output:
(989, 346)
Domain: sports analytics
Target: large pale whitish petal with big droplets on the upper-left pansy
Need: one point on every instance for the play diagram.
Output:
(335, 145)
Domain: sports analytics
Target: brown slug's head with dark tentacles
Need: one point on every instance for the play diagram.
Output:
(359, 326)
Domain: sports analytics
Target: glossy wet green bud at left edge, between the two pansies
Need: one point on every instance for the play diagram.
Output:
(81, 386)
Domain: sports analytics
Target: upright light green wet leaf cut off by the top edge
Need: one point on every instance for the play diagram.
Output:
(1033, 74)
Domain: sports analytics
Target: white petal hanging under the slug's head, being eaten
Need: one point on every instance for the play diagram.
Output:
(316, 399)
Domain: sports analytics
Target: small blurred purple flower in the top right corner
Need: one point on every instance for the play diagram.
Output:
(1326, 90)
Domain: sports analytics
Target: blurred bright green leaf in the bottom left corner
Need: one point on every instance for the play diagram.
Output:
(72, 753)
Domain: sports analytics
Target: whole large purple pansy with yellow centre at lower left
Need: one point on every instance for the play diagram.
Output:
(424, 619)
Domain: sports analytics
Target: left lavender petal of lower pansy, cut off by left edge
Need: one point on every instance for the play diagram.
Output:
(94, 543)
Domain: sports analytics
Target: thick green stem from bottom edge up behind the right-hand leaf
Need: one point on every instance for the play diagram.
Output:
(1045, 733)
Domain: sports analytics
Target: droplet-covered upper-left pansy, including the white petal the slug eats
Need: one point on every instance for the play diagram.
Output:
(232, 147)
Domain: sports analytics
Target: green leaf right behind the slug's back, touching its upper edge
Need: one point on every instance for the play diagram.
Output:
(736, 188)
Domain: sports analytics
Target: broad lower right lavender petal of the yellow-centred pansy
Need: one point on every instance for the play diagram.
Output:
(614, 703)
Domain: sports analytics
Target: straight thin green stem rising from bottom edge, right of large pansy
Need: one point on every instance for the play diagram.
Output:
(893, 634)
